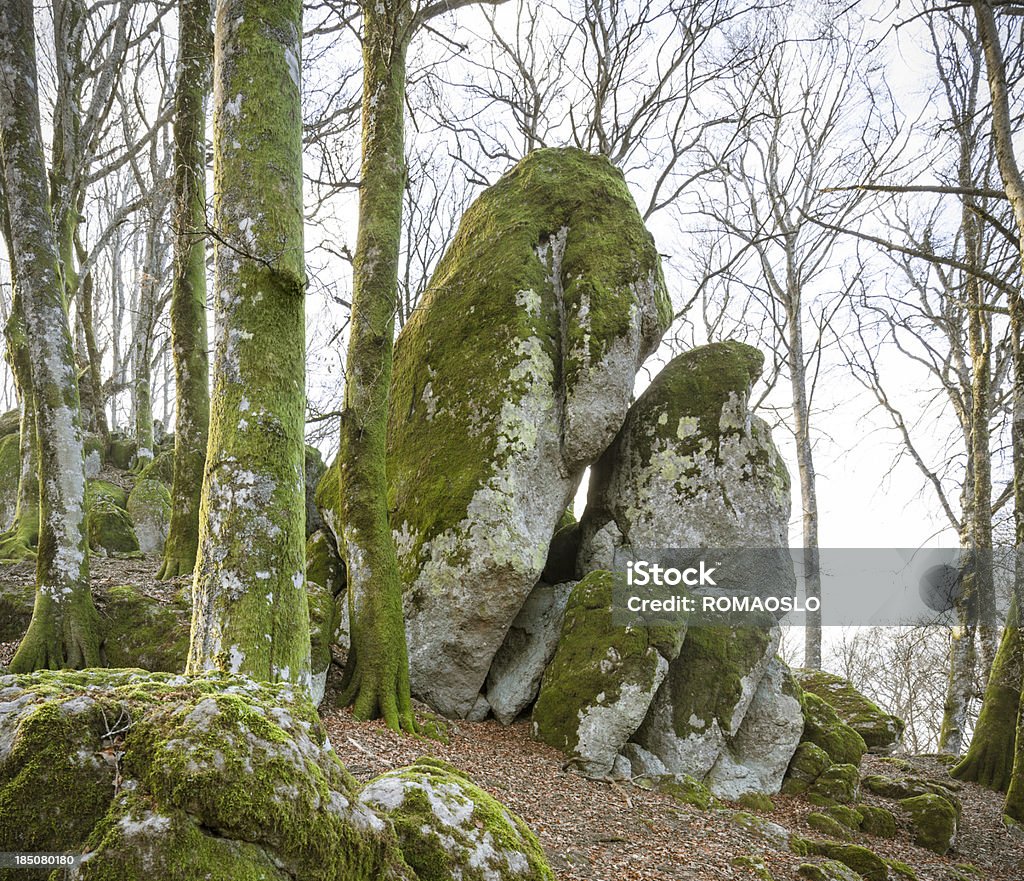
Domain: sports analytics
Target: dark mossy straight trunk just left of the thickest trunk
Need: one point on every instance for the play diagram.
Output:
(192, 369)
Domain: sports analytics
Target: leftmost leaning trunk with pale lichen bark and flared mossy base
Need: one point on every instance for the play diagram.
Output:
(64, 627)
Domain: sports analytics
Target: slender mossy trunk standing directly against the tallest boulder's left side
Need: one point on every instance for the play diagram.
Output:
(377, 675)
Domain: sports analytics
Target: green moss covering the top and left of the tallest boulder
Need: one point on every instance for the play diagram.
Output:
(456, 360)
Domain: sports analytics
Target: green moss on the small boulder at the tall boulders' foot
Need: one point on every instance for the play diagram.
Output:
(598, 657)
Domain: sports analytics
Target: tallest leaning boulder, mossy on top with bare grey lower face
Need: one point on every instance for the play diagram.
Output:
(511, 377)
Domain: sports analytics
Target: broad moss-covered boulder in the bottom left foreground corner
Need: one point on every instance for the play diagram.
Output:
(161, 776)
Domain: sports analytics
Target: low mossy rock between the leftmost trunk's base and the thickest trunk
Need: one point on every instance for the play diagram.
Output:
(139, 631)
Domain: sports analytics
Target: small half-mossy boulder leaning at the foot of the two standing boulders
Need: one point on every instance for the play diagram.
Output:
(601, 683)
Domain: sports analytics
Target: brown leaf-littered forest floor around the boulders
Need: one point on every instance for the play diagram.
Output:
(598, 831)
